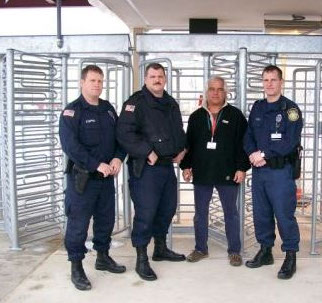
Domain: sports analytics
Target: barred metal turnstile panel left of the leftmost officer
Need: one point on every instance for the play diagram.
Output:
(33, 191)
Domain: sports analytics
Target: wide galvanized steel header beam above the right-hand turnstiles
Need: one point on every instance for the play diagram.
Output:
(176, 43)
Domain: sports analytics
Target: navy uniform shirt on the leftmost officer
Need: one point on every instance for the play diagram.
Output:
(87, 133)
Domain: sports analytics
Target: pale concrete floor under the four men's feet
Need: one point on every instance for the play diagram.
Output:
(40, 273)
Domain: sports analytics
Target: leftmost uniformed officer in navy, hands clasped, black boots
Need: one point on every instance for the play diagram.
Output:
(87, 135)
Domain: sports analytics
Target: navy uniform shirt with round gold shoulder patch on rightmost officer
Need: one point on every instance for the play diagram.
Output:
(273, 128)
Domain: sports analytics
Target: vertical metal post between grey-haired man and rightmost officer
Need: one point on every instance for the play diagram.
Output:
(242, 92)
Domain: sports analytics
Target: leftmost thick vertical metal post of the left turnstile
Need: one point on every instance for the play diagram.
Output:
(11, 150)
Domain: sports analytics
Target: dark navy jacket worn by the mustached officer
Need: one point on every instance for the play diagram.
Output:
(148, 123)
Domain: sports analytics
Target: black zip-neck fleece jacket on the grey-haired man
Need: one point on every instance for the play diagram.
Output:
(216, 166)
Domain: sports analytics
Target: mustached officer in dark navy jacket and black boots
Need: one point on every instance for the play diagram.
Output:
(150, 129)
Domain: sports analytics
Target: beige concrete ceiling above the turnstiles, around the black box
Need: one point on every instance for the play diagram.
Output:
(232, 15)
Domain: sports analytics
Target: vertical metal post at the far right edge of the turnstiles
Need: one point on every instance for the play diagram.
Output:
(315, 155)
